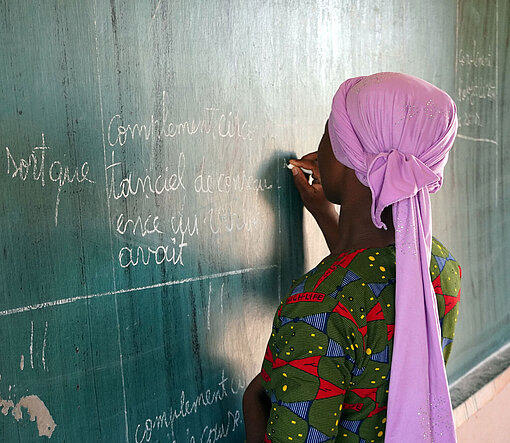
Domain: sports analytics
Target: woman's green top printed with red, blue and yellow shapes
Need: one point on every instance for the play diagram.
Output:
(327, 364)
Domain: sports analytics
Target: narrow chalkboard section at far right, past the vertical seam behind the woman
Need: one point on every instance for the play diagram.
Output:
(475, 203)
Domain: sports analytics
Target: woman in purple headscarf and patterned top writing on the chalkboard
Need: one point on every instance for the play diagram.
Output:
(358, 346)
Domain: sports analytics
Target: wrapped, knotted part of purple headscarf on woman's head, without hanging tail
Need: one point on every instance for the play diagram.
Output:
(395, 131)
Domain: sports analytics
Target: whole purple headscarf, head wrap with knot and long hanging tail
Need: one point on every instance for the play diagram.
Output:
(395, 131)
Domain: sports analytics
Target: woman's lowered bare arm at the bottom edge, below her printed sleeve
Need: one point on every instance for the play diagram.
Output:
(256, 405)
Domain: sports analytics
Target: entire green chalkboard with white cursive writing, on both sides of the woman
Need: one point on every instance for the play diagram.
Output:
(148, 225)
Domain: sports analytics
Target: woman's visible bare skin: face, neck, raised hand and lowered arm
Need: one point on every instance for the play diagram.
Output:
(333, 183)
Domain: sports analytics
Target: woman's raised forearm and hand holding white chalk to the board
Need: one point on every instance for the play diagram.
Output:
(314, 199)
